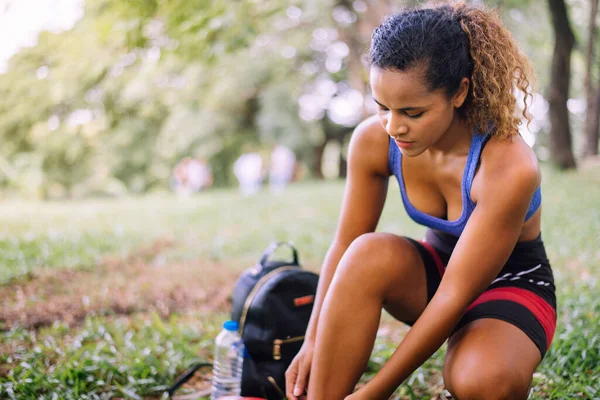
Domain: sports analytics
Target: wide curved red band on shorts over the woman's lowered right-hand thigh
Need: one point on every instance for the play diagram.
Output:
(542, 311)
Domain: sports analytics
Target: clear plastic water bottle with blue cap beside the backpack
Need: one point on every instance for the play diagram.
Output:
(227, 367)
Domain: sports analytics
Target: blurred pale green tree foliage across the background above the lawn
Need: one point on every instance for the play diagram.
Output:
(113, 104)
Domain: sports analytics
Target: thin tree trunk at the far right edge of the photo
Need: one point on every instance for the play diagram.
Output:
(590, 143)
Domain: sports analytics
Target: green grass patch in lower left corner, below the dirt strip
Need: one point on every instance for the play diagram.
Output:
(104, 358)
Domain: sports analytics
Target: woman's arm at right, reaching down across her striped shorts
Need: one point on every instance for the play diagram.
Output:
(481, 252)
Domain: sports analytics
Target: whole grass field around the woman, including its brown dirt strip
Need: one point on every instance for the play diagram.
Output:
(112, 298)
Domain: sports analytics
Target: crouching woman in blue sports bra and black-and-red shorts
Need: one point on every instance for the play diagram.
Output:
(443, 79)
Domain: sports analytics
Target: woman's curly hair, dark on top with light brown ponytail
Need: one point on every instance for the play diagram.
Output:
(456, 41)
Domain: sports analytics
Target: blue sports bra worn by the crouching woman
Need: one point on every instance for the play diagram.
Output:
(452, 227)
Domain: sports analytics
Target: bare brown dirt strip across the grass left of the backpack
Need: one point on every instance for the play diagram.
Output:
(138, 283)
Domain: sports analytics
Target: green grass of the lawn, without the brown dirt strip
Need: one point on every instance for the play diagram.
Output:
(137, 357)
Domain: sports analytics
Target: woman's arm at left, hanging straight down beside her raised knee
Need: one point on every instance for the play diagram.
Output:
(364, 197)
